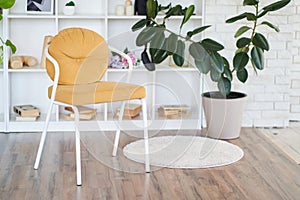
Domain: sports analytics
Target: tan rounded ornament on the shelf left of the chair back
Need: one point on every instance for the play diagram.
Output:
(17, 62)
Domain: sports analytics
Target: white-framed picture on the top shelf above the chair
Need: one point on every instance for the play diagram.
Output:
(39, 6)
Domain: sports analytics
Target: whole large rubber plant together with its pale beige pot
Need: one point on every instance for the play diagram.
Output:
(160, 42)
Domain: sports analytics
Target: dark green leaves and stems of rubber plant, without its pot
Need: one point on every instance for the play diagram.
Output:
(159, 42)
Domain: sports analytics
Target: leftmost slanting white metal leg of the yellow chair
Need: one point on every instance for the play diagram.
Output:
(43, 137)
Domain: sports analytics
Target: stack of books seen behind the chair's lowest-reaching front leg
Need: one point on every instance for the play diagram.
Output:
(85, 113)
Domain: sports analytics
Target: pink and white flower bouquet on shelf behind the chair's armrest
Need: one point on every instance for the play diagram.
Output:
(119, 62)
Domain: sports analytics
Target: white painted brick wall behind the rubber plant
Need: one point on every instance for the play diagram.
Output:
(269, 102)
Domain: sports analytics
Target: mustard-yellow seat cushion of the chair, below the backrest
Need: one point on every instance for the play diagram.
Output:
(99, 92)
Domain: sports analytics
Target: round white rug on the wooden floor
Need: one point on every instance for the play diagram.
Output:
(185, 152)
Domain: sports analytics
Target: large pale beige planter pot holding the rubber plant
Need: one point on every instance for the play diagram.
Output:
(223, 116)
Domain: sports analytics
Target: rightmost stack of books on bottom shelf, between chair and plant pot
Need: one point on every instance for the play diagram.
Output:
(173, 111)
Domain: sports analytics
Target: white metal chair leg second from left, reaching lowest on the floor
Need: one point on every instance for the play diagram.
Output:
(77, 146)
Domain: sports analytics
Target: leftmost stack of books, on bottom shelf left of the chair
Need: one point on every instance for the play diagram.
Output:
(26, 113)
